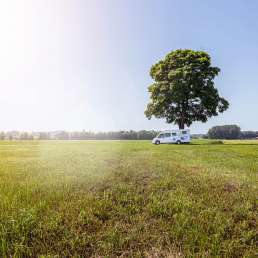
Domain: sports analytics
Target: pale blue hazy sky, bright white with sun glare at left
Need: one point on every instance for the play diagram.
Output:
(80, 64)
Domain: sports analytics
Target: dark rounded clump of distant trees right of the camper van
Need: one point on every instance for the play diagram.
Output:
(225, 132)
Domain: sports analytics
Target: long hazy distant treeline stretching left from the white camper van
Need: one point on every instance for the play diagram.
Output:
(82, 135)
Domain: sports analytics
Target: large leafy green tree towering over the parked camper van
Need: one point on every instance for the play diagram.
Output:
(183, 89)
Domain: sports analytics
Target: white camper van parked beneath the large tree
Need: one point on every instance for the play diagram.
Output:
(173, 136)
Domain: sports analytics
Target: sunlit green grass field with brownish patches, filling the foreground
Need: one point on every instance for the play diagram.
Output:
(128, 199)
